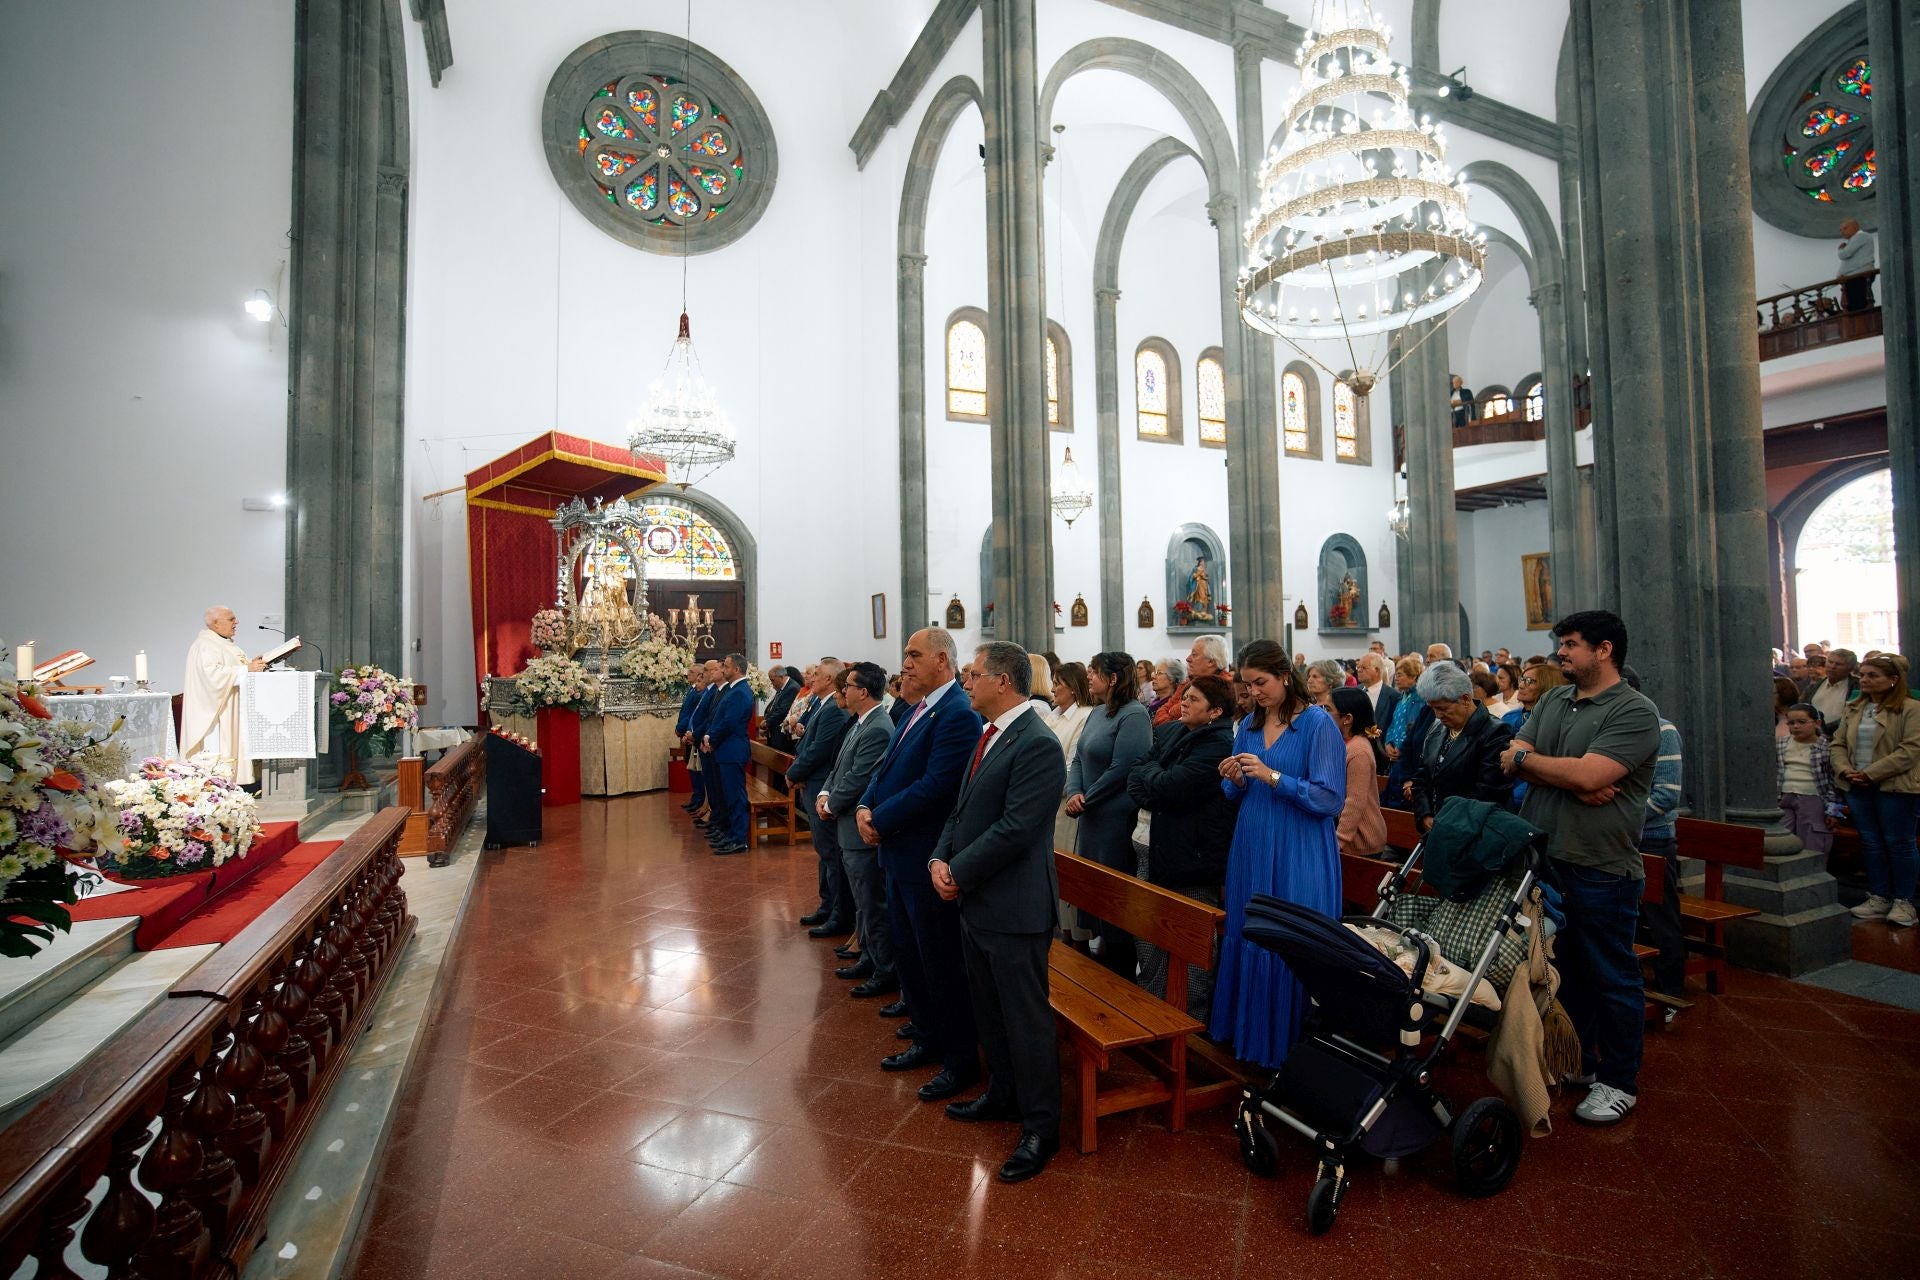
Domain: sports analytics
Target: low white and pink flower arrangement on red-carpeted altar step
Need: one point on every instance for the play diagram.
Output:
(178, 818)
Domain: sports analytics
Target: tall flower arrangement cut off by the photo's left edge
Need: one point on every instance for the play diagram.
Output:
(53, 811)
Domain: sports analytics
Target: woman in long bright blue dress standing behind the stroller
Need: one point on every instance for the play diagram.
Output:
(1289, 778)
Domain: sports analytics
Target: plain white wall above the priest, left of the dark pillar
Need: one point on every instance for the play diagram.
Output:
(139, 406)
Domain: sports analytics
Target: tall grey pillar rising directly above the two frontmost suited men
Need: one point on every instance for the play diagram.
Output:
(1017, 331)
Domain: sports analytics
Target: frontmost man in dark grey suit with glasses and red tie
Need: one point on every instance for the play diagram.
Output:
(996, 859)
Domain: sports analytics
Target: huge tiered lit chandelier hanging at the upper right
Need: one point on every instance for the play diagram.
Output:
(1362, 227)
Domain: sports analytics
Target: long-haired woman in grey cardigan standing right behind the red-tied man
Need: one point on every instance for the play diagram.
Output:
(1118, 736)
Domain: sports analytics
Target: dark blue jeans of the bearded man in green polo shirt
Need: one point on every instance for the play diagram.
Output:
(1600, 980)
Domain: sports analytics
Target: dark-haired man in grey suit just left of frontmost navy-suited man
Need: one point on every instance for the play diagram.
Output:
(861, 749)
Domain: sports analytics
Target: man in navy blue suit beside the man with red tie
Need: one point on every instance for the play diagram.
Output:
(903, 813)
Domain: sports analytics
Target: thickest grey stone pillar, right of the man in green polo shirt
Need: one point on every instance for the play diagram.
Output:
(1679, 458)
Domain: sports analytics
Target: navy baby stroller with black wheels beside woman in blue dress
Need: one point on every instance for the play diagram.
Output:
(1337, 1087)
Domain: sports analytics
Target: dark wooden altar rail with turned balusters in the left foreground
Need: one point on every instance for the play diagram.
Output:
(235, 1066)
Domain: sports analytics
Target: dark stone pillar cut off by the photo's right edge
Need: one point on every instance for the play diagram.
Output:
(1896, 49)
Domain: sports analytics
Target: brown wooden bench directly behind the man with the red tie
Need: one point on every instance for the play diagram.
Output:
(1103, 1014)
